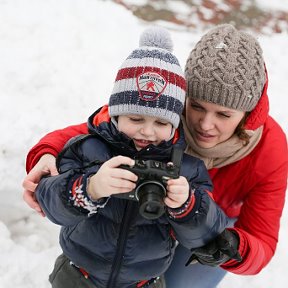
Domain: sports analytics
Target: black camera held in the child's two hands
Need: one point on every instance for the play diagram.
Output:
(151, 185)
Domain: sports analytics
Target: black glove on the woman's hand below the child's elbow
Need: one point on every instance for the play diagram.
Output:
(223, 248)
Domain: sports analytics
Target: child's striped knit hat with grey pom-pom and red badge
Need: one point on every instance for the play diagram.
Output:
(150, 82)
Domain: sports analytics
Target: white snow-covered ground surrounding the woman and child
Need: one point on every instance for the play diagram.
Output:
(58, 61)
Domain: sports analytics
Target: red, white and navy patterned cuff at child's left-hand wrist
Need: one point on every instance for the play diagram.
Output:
(79, 198)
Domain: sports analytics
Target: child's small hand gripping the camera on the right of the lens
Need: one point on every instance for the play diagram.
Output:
(177, 192)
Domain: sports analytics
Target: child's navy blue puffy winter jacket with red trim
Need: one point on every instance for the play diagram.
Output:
(109, 238)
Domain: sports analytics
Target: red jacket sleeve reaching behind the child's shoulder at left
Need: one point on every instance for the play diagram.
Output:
(53, 143)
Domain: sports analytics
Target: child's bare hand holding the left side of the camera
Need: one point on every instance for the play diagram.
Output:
(112, 180)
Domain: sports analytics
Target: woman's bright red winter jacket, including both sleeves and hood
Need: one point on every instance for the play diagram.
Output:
(252, 189)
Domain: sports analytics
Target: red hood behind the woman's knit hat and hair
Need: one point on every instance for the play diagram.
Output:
(259, 114)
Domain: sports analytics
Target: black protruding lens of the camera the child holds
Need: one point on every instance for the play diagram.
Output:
(150, 195)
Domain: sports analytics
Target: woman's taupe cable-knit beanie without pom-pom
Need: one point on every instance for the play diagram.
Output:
(226, 67)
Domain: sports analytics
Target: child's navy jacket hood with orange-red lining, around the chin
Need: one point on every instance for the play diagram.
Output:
(99, 123)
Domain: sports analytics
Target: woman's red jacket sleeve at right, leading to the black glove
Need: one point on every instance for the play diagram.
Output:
(259, 221)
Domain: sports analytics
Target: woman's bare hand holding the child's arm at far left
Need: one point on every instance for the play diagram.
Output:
(46, 165)
